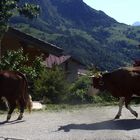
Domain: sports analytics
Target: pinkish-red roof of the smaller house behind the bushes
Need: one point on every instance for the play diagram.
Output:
(54, 60)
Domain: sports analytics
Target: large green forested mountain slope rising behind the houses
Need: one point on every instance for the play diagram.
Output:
(89, 35)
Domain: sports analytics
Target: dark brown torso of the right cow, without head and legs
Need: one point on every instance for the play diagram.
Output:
(123, 80)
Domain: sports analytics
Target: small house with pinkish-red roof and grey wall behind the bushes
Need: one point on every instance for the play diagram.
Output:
(70, 65)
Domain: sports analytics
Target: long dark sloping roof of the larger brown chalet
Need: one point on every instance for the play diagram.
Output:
(44, 46)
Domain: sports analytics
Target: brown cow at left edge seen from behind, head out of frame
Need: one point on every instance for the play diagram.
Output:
(13, 87)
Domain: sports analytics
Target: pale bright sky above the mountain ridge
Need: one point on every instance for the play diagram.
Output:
(124, 11)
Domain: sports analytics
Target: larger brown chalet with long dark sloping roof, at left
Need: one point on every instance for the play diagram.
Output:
(15, 39)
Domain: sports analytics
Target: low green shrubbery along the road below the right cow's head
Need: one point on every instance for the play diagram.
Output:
(78, 93)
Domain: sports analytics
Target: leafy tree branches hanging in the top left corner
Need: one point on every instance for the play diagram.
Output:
(9, 7)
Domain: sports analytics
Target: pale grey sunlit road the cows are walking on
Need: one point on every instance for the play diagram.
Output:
(92, 123)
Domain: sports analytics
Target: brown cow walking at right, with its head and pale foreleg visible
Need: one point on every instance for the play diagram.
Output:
(123, 83)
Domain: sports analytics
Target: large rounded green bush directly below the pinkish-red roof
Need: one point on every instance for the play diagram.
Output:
(51, 85)
